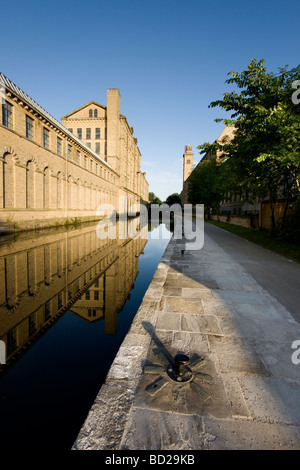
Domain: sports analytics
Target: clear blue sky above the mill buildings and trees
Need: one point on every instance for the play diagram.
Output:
(168, 58)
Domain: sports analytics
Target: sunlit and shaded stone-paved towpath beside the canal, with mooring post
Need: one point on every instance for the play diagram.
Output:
(244, 389)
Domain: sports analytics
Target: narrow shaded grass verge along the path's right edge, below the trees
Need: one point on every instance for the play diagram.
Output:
(262, 238)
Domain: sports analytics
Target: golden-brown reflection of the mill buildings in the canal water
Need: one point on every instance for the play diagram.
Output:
(45, 275)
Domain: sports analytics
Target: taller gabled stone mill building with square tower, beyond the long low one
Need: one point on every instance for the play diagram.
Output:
(108, 133)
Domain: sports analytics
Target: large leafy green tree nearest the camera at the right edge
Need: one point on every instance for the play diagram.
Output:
(264, 154)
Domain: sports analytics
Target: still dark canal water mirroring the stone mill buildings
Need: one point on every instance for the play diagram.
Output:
(67, 299)
